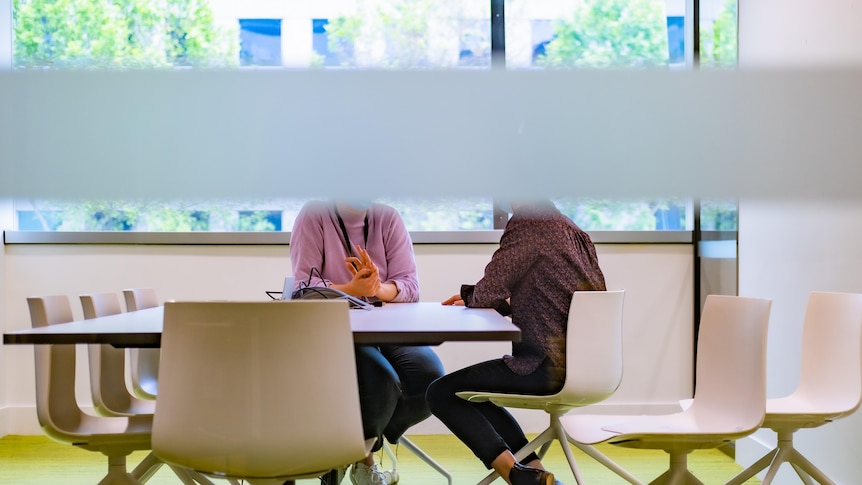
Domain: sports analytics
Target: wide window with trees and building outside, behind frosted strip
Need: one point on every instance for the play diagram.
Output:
(383, 34)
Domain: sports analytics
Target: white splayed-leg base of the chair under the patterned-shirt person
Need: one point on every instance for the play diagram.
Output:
(556, 432)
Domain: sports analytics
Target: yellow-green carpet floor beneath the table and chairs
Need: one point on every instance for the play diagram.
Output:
(39, 460)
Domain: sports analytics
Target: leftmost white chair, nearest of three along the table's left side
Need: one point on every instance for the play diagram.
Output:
(59, 414)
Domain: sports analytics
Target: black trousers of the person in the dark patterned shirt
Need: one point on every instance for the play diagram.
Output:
(484, 427)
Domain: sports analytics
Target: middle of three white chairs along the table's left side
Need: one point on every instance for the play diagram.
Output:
(111, 395)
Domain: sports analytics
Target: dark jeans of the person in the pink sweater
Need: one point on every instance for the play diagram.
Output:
(392, 384)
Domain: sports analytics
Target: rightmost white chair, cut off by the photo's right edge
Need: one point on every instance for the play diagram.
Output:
(830, 384)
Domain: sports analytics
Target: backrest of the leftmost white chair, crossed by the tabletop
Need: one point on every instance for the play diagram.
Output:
(56, 406)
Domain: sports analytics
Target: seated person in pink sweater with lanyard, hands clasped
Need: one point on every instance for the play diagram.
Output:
(365, 250)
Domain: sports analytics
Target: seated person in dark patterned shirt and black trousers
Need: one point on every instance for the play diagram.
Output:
(543, 258)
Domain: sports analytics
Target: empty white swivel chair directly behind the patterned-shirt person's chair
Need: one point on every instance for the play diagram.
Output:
(730, 394)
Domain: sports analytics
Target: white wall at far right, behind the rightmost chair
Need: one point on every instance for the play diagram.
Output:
(788, 248)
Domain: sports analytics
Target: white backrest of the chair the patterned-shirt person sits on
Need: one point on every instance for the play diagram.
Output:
(594, 346)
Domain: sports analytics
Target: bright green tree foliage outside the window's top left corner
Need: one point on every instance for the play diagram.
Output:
(124, 34)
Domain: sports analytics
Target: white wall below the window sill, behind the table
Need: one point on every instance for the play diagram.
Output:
(658, 312)
